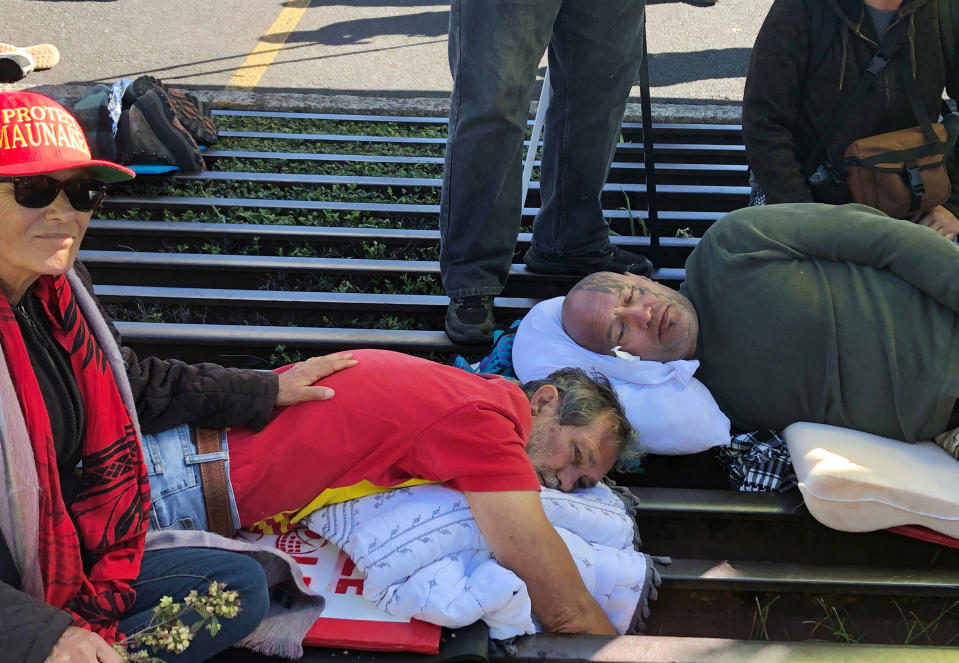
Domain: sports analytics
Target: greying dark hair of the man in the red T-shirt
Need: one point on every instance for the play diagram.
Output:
(583, 398)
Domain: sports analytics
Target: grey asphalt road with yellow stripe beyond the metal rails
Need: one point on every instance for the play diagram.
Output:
(357, 52)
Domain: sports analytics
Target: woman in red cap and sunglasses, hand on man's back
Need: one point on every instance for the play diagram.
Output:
(74, 492)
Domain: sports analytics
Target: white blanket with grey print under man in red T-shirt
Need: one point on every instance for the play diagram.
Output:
(424, 557)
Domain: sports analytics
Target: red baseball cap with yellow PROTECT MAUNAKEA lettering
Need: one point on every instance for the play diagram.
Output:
(38, 135)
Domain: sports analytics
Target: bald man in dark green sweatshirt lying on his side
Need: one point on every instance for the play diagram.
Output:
(799, 312)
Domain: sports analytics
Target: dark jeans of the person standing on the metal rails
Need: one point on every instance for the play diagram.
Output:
(595, 48)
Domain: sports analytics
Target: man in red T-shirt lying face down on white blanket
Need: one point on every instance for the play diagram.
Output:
(398, 420)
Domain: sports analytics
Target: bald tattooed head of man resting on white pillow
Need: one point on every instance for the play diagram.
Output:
(645, 318)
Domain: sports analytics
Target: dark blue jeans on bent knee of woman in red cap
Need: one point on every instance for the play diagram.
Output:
(175, 571)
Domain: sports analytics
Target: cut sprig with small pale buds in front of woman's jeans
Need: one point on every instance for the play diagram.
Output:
(166, 631)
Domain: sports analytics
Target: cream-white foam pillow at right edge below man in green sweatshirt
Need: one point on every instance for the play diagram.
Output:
(859, 482)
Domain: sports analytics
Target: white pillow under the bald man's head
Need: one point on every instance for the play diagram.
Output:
(672, 412)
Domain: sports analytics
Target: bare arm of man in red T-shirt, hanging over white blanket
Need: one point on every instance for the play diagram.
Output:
(524, 541)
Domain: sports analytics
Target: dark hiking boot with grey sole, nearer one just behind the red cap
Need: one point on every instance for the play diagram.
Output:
(149, 132)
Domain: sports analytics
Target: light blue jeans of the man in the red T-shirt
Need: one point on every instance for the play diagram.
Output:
(174, 469)
